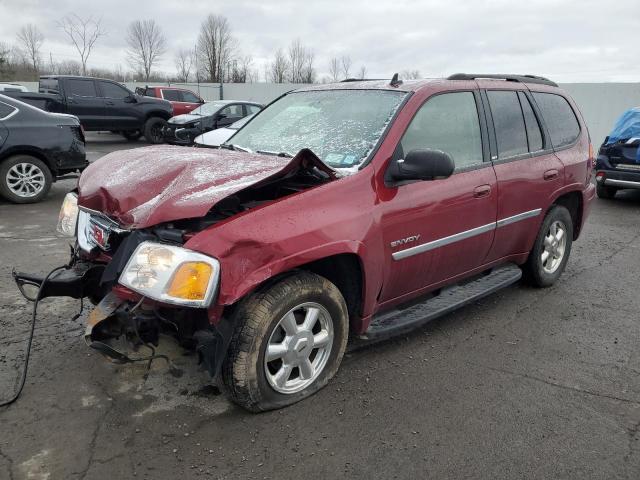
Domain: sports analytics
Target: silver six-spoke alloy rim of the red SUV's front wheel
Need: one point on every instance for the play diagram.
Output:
(299, 348)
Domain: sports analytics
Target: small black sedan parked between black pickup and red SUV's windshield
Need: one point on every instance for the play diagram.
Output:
(183, 129)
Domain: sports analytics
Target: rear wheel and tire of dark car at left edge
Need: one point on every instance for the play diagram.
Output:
(37, 179)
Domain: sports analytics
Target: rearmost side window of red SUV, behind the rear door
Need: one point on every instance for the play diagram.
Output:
(559, 117)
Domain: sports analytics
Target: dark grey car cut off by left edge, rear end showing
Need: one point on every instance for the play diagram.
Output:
(36, 148)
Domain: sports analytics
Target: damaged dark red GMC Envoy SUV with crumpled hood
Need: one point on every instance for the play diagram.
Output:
(356, 210)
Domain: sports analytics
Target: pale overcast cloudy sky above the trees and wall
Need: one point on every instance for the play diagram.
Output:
(568, 41)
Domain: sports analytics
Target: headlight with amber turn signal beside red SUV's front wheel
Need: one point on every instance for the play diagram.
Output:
(172, 274)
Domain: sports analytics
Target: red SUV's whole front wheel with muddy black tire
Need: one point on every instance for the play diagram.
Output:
(249, 380)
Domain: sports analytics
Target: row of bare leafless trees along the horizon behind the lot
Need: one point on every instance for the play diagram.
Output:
(215, 56)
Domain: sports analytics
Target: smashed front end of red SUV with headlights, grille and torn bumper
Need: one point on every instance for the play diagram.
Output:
(143, 282)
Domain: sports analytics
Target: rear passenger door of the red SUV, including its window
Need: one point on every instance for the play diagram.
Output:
(526, 167)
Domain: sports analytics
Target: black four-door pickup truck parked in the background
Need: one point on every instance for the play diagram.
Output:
(101, 104)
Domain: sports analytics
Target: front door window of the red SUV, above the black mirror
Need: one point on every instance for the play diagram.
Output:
(447, 122)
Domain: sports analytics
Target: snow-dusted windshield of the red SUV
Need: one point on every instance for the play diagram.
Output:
(340, 126)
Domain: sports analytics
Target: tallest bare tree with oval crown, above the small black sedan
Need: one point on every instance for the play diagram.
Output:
(215, 46)
